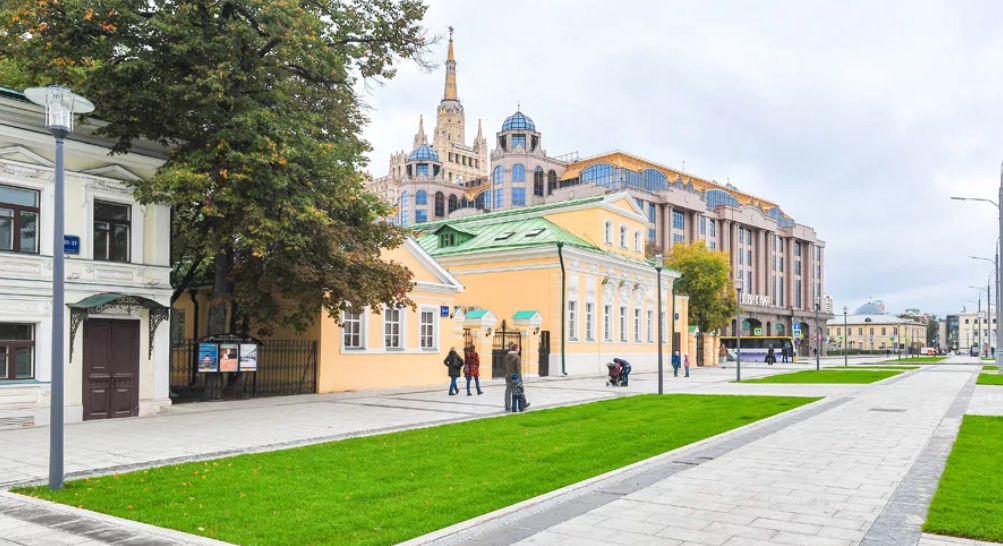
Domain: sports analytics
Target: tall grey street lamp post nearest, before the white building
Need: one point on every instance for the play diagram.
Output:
(61, 107)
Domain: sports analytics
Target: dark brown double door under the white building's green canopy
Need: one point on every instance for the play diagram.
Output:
(111, 369)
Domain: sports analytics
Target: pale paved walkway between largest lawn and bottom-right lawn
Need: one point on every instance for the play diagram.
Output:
(823, 481)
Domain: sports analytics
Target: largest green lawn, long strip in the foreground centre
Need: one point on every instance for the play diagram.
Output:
(391, 488)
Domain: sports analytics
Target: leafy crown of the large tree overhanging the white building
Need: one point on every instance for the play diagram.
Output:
(258, 102)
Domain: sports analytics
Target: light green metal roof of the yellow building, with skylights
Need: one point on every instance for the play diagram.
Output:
(529, 233)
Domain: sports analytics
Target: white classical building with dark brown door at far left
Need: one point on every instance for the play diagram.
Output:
(118, 276)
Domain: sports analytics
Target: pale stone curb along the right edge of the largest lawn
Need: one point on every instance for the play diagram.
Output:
(621, 473)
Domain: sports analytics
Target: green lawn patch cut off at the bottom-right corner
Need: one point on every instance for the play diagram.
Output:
(968, 500)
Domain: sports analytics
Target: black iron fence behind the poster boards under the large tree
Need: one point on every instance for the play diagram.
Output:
(284, 368)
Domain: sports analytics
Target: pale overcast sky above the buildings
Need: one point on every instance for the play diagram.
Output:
(860, 119)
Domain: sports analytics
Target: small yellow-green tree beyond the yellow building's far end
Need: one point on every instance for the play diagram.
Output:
(707, 280)
